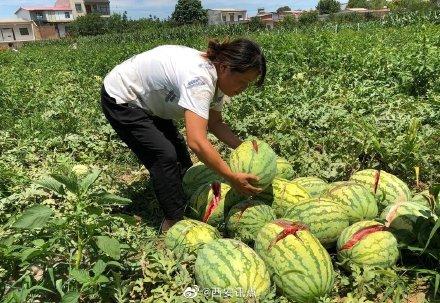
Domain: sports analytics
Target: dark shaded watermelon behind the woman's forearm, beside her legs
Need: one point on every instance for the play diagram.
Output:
(196, 176)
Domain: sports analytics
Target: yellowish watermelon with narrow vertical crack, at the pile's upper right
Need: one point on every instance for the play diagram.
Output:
(386, 186)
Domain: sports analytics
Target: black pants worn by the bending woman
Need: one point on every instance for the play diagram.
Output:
(158, 145)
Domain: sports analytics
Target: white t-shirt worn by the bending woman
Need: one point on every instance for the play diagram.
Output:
(165, 81)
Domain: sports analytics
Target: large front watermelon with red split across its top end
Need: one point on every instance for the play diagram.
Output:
(299, 265)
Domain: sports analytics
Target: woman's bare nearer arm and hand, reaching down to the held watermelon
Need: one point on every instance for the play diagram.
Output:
(196, 134)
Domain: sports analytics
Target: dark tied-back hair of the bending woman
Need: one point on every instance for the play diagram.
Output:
(240, 55)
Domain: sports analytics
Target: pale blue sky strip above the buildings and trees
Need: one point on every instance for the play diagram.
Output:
(163, 8)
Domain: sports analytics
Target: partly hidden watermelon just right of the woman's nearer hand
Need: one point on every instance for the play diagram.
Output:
(282, 195)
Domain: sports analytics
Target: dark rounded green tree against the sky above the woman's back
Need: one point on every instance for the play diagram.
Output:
(189, 12)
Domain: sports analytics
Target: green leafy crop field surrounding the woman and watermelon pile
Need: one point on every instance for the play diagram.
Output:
(334, 103)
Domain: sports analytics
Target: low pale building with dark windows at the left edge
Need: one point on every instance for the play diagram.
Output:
(16, 30)
